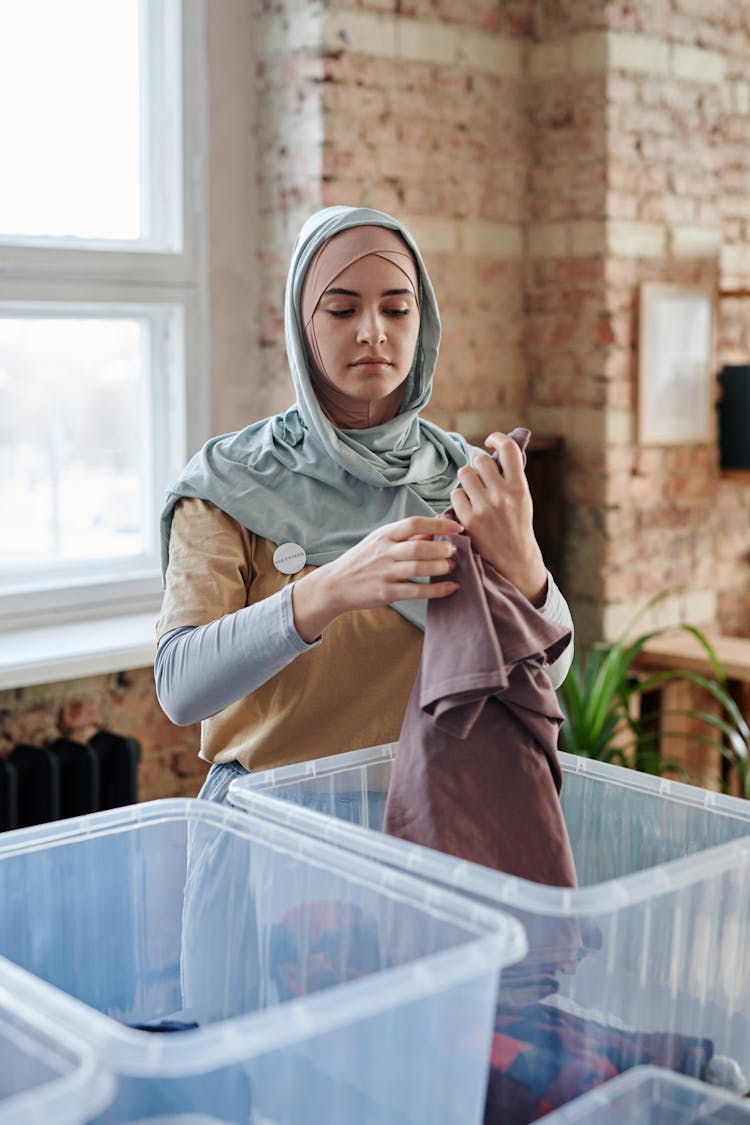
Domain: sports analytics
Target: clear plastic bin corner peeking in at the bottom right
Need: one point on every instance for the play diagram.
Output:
(653, 1096)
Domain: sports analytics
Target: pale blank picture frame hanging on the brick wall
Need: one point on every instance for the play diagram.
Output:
(676, 363)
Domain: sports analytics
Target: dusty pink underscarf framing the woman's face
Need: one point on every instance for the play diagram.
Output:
(358, 244)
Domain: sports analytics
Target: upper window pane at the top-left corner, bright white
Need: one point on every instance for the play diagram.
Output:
(85, 87)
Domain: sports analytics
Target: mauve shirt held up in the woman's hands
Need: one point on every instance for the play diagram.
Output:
(477, 772)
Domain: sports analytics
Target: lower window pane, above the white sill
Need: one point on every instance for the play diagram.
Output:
(74, 444)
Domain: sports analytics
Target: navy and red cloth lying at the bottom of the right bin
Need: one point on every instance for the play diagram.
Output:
(544, 1058)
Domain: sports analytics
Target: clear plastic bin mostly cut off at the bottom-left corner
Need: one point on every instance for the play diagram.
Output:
(46, 1075)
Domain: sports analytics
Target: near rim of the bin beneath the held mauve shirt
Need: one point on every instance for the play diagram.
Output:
(487, 885)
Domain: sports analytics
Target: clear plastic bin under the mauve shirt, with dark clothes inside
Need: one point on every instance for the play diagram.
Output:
(649, 955)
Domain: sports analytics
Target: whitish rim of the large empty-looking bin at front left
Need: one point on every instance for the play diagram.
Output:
(493, 941)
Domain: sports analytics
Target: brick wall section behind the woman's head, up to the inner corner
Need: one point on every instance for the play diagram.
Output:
(420, 114)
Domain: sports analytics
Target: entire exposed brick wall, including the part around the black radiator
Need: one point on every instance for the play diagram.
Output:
(549, 158)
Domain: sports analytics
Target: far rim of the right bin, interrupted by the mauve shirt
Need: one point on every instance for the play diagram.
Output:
(572, 764)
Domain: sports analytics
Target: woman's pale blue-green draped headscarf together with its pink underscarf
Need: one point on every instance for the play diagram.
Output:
(296, 478)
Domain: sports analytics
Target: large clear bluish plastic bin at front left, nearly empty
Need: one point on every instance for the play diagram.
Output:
(228, 969)
